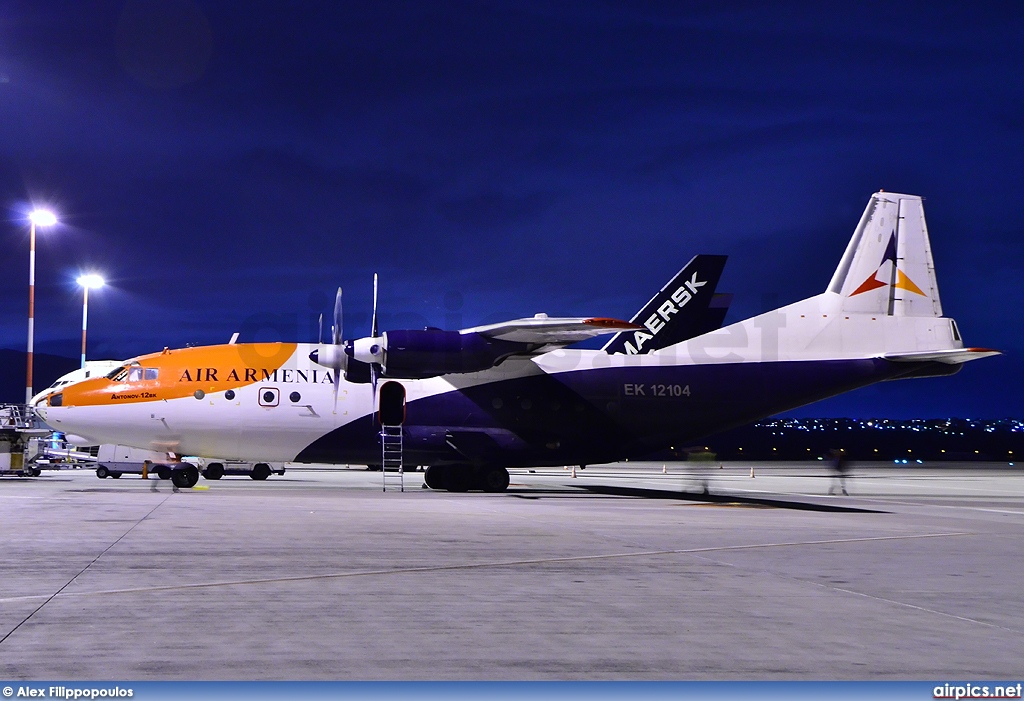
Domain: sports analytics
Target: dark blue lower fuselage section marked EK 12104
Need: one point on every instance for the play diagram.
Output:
(603, 415)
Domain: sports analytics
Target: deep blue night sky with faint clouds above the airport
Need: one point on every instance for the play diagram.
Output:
(227, 166)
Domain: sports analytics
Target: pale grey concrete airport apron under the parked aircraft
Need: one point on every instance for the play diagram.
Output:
(623, 574)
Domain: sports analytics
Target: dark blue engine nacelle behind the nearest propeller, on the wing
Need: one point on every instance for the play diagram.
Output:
(429, 354)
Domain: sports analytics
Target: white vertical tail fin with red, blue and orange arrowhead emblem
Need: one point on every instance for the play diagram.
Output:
(887, 269)
